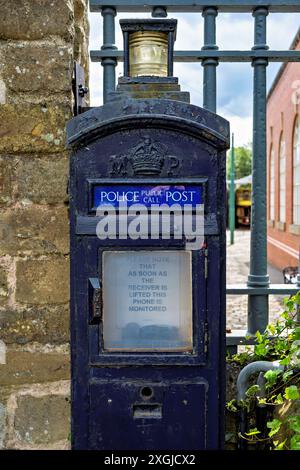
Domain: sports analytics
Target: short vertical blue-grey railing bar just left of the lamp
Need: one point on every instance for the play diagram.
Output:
(109, 63)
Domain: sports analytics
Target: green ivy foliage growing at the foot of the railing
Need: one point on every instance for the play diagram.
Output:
(280, 342)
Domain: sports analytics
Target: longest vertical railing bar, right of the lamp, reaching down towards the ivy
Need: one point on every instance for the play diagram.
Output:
(258, 305)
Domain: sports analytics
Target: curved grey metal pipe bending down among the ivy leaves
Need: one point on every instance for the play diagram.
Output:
(242, 386)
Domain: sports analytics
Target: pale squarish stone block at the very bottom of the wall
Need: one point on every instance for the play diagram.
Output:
(42, 420)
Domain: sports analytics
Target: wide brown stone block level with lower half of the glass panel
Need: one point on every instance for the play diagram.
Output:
(48, 324)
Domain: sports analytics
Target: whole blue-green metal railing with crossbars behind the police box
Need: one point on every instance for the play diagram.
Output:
(258, 287)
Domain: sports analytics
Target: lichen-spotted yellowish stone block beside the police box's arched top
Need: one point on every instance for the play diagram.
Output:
(33, 128)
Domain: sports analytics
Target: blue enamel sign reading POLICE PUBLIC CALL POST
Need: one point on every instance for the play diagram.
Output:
(147, 195)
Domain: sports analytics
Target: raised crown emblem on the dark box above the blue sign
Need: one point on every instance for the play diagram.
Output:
(148, 157)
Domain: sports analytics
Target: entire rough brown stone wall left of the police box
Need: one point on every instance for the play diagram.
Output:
(39, 40)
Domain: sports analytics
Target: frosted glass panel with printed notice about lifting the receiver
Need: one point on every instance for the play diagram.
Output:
(147, 301)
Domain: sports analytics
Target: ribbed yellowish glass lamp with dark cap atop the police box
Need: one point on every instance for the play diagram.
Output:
(148, 47)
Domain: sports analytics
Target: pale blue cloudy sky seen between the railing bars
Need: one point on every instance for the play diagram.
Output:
(234, 80)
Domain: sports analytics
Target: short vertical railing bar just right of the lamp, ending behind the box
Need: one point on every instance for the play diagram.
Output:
(209, 65)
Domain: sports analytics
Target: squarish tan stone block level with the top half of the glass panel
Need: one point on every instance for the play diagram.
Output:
(43, 281)
